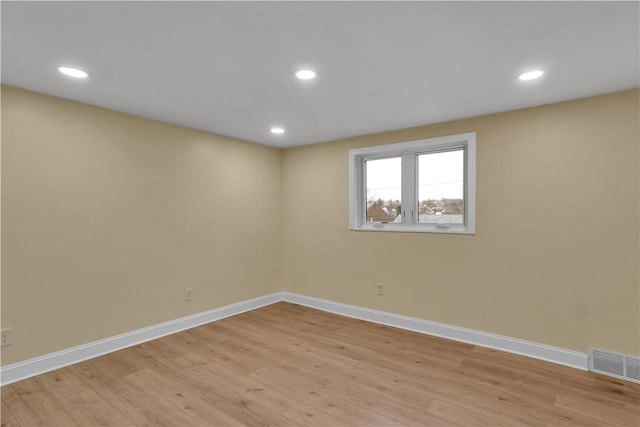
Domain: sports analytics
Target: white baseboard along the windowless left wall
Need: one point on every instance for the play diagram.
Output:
(39, 365)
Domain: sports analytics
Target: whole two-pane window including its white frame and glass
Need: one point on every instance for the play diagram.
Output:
(421, 186)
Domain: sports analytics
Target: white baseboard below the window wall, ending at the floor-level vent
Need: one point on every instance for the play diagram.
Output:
(544, 352)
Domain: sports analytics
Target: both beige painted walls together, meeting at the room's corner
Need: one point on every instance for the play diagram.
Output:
(107, 217)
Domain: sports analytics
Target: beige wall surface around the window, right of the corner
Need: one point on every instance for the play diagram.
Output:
(555, 257)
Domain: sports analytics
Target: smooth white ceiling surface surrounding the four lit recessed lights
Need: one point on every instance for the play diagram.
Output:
(227, 67)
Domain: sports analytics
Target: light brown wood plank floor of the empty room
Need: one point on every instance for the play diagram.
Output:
(288, 365)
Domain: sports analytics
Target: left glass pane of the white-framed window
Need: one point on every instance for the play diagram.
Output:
(384, 189)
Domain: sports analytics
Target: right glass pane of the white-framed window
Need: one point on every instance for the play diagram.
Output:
(441, 187)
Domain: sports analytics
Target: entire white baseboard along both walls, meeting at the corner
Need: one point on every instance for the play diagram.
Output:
(49, 362)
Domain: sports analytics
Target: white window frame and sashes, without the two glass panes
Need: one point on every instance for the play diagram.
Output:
(409, 152)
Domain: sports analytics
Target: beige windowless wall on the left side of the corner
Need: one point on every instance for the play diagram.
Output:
(107, 218)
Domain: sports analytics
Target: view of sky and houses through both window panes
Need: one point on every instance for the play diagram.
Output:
(440, 188)
